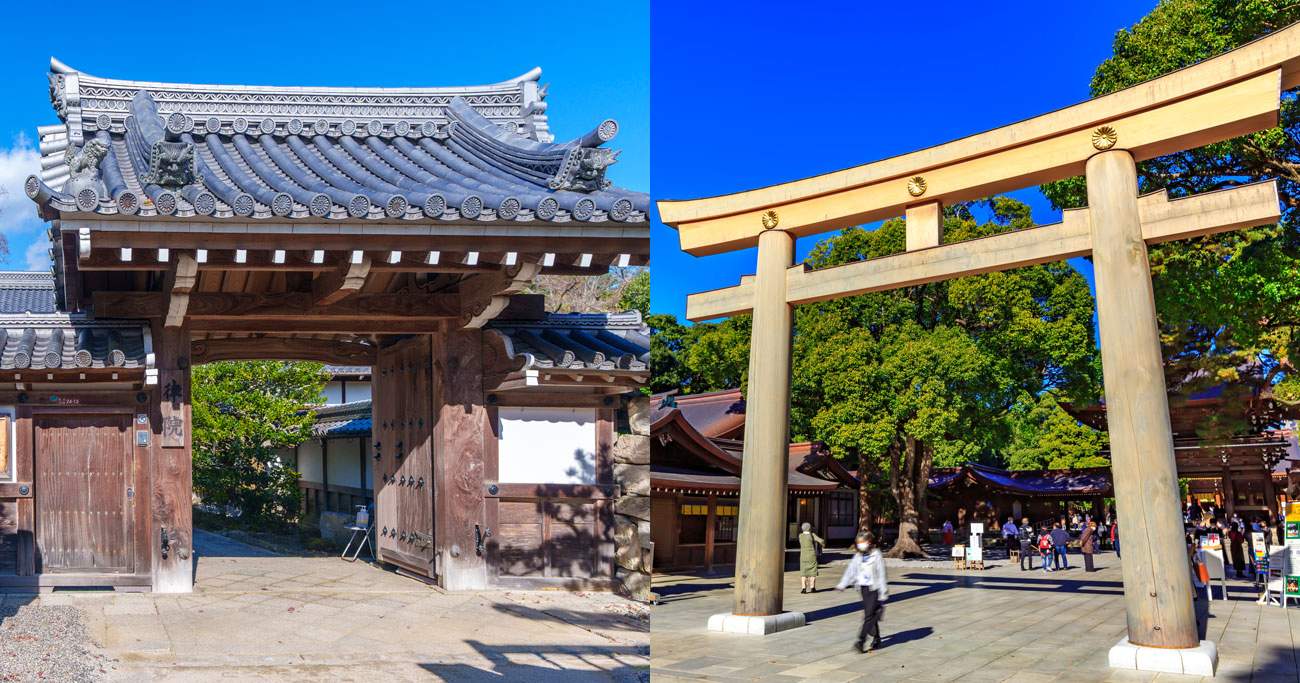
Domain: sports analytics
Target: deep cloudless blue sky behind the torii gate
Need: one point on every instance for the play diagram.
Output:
(787, 90)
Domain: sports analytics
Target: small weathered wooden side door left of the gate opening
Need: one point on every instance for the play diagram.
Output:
(84, 489)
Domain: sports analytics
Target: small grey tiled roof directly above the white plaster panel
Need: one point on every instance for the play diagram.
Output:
(596, 341)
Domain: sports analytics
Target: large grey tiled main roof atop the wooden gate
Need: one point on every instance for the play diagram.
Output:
(480, 153)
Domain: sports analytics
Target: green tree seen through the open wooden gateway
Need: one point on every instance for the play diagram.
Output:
(244, 414)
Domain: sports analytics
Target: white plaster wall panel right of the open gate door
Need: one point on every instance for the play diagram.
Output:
(547, 446)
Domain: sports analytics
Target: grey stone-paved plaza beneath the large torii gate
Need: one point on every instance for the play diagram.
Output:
(999, 625)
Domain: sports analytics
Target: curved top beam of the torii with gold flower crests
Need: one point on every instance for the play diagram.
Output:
(1217, 100)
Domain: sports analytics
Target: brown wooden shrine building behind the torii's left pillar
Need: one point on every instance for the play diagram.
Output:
(696, 475)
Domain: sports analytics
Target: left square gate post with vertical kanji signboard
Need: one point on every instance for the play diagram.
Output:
(171, 472)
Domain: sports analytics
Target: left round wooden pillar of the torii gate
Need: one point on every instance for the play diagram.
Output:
(761, 538)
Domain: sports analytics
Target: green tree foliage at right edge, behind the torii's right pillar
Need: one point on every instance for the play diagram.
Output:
(1230, 300)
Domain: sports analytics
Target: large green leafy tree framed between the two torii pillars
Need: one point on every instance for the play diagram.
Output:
(929, 375)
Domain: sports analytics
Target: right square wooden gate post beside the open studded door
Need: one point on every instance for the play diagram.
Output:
(458, 456)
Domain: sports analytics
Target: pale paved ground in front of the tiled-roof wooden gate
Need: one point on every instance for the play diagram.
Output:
(257, 616)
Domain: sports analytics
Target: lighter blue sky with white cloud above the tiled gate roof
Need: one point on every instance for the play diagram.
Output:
(595, 55)
